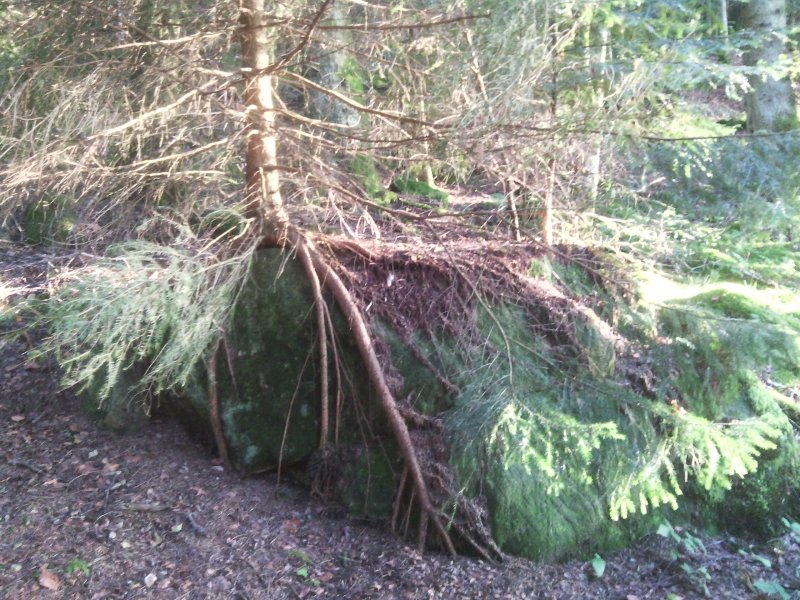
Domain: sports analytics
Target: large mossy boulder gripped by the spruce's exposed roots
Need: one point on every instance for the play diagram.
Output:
(574, 439)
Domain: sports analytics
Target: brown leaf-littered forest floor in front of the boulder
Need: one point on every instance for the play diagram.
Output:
(86, 513)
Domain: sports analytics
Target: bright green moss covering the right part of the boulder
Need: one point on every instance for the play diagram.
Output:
(552, 442)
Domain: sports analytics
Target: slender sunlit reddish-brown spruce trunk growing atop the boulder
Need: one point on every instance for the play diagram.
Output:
(262, 190)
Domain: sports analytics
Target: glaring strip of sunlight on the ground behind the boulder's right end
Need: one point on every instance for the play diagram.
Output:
(657, 288)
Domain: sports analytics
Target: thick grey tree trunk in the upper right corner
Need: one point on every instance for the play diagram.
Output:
(770, 104)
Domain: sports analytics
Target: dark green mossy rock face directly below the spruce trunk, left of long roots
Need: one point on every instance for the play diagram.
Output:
(270, 406)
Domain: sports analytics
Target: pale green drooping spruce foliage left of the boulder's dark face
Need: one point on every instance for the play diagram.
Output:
(160, 307)
